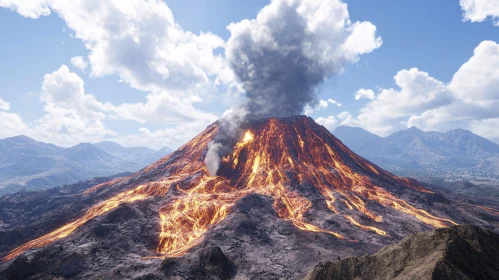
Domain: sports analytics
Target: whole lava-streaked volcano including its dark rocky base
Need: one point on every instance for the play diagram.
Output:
(290, 195)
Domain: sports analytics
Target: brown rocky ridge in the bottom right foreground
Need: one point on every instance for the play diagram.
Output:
(460, 252)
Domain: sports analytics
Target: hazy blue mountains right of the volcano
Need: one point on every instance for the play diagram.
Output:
(457, 154)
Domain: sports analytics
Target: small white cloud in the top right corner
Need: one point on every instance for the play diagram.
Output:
(479, 10)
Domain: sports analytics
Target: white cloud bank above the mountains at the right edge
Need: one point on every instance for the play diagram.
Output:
(470, 100)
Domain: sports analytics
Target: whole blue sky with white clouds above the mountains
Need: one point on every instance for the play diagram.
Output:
(155, 73)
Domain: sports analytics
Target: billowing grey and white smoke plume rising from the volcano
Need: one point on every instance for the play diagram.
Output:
(282, 56)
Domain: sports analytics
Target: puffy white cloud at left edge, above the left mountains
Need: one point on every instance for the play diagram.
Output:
(71, 116)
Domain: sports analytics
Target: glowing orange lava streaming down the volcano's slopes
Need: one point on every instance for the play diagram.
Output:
(276, 158)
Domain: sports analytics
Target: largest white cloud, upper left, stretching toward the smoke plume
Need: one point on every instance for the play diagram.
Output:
(140, 42)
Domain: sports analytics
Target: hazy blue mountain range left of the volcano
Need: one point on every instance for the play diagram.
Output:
(26, 163)
